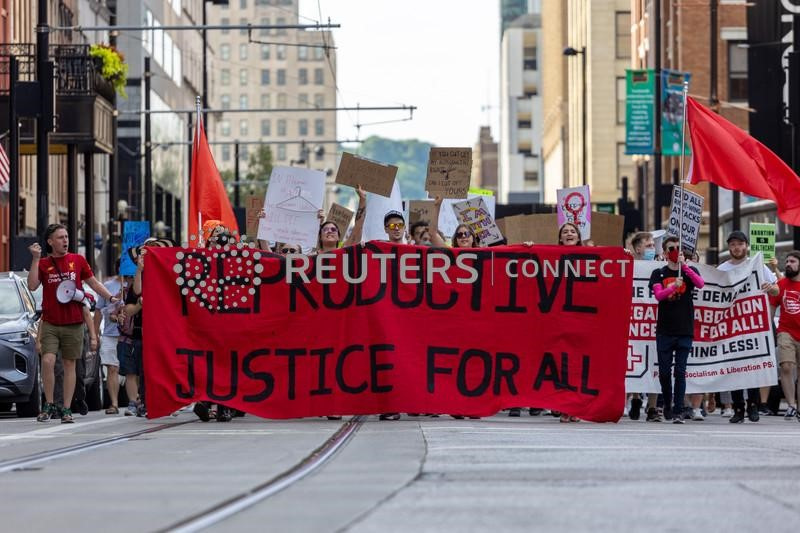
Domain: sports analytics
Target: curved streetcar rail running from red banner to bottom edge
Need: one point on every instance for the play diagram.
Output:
(227, 508)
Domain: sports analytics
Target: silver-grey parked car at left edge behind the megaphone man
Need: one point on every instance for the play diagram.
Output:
(20, 377)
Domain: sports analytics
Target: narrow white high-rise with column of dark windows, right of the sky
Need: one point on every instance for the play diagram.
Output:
(521, 111)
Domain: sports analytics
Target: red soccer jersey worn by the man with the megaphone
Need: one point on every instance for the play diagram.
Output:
(71, 266)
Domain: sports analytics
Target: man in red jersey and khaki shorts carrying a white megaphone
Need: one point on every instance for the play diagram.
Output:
(62, 323)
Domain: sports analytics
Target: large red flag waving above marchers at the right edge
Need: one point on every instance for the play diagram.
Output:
(726, 155)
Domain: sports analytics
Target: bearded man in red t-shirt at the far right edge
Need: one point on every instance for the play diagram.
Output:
(786, 293)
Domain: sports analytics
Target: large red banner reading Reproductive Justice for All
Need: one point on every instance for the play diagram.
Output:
(385, 328)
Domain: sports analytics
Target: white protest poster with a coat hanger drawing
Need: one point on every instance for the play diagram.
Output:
(293, 198)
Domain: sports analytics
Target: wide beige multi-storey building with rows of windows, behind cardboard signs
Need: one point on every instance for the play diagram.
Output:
(273, 70)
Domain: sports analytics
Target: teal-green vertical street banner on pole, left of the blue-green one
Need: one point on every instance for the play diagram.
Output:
(640, 106)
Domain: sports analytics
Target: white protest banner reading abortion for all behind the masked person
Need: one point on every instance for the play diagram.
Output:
(733, 340)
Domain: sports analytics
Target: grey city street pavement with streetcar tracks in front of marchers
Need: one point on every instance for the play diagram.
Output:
(418, 474)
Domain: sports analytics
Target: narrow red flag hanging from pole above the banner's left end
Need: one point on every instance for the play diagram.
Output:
(207, 196)
